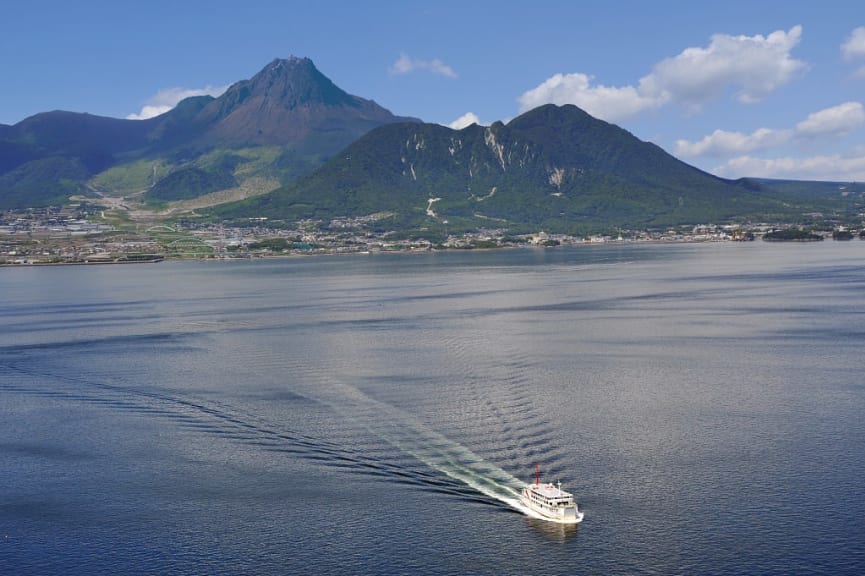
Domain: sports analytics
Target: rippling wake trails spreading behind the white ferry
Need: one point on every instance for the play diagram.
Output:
(502, 413)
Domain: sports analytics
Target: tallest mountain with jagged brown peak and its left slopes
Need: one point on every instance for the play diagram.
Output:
(280, 124)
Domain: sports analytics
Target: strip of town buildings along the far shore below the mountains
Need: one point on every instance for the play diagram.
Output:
(69, 234)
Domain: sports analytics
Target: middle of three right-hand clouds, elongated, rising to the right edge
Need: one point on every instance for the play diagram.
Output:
(834, 121)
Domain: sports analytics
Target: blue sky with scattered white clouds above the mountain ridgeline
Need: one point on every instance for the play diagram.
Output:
(758, 88)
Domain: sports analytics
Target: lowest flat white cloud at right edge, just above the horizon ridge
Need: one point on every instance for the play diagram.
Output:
(828, 168)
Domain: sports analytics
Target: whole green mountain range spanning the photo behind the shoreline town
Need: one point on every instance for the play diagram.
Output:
(554, 168)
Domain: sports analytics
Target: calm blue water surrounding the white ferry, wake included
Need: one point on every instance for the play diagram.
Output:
(371, 414)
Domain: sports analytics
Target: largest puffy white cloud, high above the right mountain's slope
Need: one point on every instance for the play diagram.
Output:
(753, 66)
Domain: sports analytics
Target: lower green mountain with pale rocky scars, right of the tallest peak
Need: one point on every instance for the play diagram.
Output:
(553, 168)
